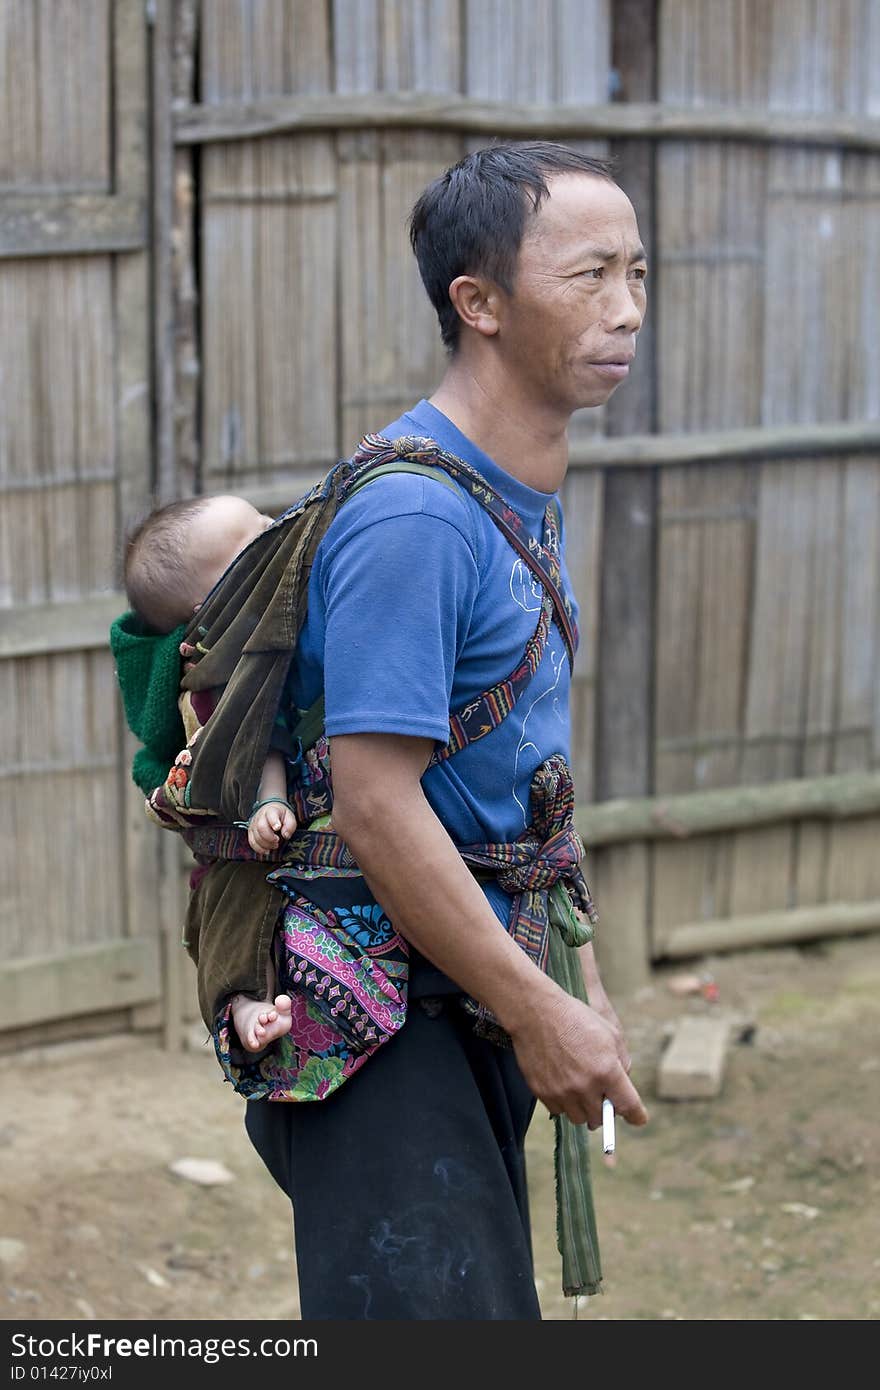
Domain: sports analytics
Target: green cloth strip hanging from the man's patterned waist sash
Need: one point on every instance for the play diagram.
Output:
(576, 1220)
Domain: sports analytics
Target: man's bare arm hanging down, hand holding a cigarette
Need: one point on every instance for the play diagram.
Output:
(567, 1052)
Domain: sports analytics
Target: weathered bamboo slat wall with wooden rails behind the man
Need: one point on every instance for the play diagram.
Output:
(240, 322)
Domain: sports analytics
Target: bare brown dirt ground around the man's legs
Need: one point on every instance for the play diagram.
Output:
(754, 1206)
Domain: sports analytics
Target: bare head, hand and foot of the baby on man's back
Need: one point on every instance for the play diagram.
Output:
(173, 561)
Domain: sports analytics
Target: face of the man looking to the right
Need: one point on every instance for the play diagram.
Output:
(568, 330)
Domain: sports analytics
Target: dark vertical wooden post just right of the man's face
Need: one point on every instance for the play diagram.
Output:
(624, 757)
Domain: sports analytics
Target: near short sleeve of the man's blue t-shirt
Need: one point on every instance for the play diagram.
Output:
(398, 593)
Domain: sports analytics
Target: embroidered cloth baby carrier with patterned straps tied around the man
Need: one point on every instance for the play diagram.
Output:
(345, 968)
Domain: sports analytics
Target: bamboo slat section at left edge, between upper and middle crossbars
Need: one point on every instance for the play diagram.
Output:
(58, 422)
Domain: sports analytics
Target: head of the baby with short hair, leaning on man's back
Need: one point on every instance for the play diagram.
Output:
(176, 557)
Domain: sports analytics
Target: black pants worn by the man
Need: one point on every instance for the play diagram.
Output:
(409, 1184)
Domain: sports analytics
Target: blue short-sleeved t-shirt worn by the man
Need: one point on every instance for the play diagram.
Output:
(416, 607)
